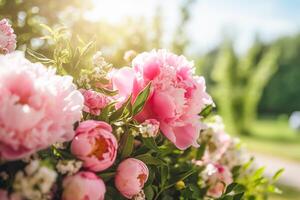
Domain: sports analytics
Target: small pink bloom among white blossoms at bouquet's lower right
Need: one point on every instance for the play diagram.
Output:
(218, 180)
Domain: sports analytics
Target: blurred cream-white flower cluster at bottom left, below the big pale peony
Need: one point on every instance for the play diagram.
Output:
(35, 182)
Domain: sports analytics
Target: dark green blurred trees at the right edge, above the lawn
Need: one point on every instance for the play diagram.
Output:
(282, 95)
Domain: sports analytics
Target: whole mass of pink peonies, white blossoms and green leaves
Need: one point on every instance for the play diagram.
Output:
(74, 127)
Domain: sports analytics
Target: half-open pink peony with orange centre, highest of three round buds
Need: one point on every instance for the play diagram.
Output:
(95, 145)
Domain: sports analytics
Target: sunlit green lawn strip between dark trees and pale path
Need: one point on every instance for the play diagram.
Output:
(274, 137)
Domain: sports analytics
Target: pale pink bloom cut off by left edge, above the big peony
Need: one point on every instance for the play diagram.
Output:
(7, 37)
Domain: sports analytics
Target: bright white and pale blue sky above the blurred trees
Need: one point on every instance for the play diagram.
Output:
(211, 20)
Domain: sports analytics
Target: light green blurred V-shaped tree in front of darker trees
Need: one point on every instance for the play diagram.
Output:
(239, 83)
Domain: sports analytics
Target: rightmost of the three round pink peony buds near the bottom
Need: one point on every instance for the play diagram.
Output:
(130, 177)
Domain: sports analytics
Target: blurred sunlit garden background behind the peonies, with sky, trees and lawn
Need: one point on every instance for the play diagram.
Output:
(248, 51)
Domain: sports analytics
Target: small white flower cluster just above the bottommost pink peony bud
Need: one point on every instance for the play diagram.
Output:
(68, 167)
